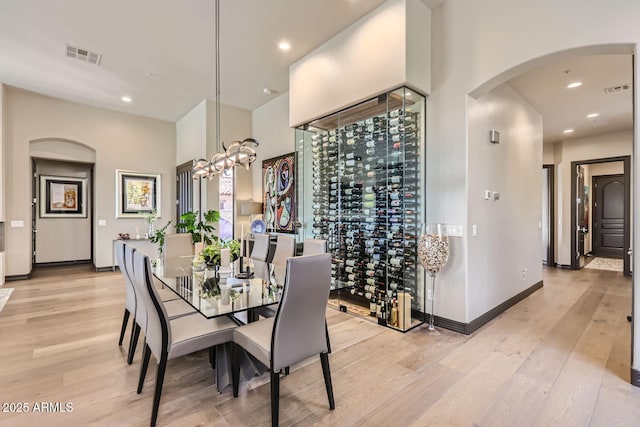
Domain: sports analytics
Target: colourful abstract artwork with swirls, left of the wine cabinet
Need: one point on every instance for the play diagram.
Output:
(278, 188)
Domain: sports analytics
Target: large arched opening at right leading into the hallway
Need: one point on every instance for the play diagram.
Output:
(512, 104)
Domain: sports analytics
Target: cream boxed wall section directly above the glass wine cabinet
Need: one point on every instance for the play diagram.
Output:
(389, 45)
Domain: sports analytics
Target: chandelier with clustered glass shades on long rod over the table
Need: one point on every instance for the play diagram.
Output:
(239, 153)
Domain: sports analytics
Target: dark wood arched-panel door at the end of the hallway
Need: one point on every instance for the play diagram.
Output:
(608, 238)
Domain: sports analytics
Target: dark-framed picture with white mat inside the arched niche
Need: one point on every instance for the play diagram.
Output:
(62, 197)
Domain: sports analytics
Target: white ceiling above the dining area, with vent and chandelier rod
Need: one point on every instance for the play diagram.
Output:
(173, 40)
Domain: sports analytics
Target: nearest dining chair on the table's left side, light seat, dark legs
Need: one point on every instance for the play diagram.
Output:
(168, 338)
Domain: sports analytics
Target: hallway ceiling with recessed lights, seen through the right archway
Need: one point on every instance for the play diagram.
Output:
(545, 88)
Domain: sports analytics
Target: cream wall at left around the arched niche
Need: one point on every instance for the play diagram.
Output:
(121, 141)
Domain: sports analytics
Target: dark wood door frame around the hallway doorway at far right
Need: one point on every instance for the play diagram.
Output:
(627, 208)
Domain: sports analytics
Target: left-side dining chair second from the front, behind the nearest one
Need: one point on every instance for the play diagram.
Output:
(175, 307)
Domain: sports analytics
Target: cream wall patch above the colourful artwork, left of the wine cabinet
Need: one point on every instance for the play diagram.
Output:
(271, 129)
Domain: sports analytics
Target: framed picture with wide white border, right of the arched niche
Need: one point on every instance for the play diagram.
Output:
(137, 193)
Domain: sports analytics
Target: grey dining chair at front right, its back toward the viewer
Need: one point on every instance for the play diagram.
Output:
(297, 332)
